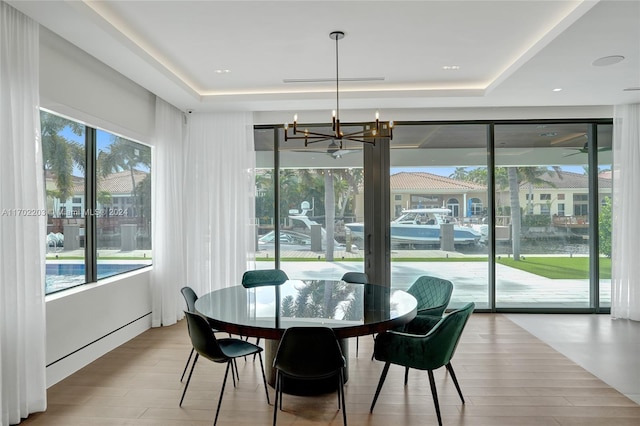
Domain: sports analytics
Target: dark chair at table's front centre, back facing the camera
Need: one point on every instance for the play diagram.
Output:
(309, 353)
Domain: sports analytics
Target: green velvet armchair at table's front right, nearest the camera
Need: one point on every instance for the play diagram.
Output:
(424, 352)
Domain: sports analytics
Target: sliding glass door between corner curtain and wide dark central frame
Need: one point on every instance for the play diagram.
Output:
(316, 189)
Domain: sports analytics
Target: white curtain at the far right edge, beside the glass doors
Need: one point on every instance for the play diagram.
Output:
(625, 291)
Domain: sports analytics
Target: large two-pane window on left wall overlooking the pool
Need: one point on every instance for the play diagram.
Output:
(91, 240)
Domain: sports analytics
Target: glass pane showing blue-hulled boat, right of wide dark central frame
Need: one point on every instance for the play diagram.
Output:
(439, 205)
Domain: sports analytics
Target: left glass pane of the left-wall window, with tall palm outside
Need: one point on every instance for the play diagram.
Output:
(63, 146)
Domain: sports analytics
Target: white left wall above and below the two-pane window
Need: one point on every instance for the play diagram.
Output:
(87, 322)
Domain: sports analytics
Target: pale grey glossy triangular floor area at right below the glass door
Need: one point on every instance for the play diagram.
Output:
(608, 348)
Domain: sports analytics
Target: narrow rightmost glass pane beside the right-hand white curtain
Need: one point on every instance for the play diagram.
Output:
(605, 188)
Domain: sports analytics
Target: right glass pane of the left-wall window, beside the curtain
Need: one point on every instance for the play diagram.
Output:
(123, 213)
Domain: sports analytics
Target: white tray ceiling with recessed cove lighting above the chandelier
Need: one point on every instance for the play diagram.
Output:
(509, 53)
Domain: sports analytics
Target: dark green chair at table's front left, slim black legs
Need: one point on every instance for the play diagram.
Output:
(224, 350)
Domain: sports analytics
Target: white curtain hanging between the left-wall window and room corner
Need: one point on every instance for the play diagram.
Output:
(167, 276)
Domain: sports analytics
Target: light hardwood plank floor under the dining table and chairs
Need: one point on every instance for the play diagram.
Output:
(508, 377)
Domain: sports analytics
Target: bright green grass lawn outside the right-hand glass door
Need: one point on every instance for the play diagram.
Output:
(558, 267)
